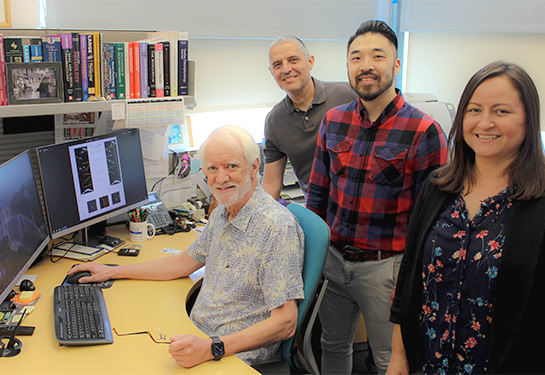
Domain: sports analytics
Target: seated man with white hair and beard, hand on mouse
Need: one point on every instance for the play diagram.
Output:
(253, 250)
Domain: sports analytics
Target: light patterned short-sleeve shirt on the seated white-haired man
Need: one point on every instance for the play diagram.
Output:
(253, 265)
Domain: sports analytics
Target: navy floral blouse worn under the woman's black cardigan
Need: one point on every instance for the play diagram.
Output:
(460, 265)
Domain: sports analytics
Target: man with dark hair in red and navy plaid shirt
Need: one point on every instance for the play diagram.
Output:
(372, 156)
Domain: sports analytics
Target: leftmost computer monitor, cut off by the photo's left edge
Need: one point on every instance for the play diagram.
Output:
(23, 231)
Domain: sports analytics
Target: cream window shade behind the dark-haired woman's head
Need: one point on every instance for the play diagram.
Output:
(442, 63)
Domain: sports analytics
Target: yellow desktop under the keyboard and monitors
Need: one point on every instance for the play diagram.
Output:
(133, 305)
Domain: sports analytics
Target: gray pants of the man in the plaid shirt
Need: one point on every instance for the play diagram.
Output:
(356, 287)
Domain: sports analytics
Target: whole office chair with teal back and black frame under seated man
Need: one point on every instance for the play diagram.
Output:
(317, 237)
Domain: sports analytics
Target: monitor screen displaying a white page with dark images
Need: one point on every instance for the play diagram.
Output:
(92, 179)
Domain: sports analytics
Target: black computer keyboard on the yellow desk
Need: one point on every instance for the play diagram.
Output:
(80, 315)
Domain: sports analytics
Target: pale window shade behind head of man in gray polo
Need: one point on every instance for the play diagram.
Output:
(234, 73)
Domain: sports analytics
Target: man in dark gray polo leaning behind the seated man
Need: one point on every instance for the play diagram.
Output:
(291, 128)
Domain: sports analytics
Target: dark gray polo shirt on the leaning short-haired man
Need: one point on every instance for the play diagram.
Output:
(291, 132)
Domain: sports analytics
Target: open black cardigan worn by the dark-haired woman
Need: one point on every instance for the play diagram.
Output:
(517, 329)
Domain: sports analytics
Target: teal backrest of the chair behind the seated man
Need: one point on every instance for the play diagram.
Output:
(317, 237)
